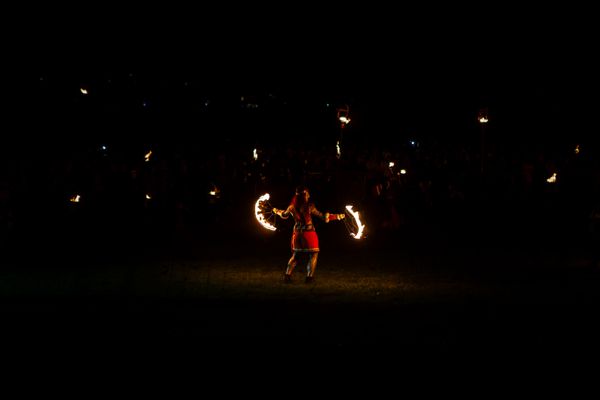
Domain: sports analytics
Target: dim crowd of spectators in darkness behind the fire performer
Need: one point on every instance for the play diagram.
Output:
(117, 192)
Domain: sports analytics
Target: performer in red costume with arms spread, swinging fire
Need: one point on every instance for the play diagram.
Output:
(304, 237)
